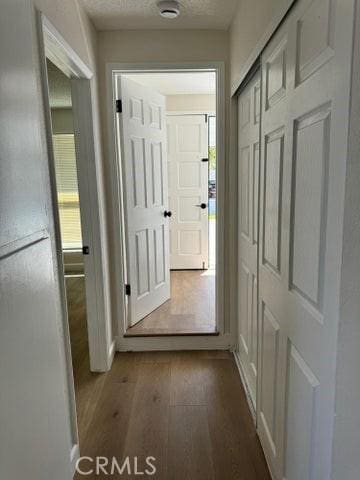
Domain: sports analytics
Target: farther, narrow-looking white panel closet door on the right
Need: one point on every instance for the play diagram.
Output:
(248, 187)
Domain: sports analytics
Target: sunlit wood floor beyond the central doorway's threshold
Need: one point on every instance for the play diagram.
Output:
(190, 311)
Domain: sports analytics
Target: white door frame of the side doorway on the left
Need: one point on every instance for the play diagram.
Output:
(53, 46)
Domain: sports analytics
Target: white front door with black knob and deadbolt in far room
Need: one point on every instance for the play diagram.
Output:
(188, 191)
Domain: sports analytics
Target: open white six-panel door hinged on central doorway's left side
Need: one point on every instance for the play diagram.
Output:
(143, 133)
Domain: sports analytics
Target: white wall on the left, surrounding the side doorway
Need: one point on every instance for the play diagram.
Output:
(37, 431)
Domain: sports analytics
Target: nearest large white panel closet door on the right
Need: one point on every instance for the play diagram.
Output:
(305, 88)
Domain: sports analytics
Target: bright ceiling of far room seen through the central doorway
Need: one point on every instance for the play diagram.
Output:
(178, 83)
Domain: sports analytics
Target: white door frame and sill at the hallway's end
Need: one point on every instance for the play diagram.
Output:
(224, 340)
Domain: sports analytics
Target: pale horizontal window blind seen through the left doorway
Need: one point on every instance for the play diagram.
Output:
(67, 188)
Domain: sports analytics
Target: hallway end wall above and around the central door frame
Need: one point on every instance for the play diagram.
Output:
(131, 46)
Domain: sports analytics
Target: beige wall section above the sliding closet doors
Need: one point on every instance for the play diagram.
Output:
(250, 24)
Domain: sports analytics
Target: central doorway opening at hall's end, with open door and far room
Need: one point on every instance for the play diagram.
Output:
(168, 142)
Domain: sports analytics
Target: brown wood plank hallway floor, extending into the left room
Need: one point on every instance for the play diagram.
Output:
(186, 409)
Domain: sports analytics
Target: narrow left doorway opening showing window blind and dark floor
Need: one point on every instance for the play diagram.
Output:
(69, 214)
